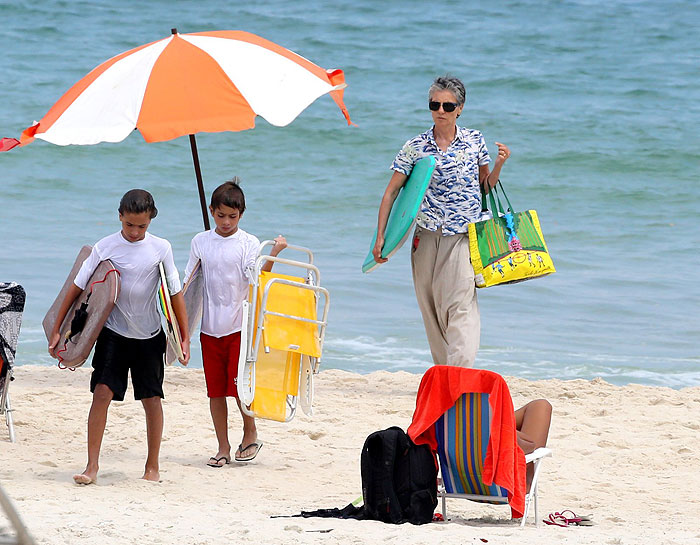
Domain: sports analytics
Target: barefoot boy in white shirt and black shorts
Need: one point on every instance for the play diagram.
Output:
(132, 338)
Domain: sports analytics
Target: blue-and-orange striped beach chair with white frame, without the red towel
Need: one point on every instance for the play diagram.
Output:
(462, 435)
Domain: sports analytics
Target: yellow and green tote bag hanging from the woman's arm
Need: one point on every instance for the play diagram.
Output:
(509, 247)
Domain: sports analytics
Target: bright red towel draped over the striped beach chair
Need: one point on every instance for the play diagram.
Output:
(440, 388)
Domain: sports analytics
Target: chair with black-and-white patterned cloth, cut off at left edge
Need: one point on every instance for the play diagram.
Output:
(12, 298)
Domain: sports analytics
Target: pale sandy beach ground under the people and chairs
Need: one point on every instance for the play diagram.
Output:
(627, 455)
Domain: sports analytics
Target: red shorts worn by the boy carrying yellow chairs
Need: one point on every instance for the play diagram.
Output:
(220, 359)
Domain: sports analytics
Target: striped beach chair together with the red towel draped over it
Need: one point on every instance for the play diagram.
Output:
(467, 417)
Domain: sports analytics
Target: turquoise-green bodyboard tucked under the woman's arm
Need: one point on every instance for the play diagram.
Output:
(403, 212)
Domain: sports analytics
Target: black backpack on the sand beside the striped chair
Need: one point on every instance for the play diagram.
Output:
(399, 478)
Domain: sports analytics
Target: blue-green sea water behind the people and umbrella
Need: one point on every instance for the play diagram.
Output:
(598, 101)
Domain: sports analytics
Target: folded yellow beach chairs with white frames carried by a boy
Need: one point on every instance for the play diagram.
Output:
(281, 338)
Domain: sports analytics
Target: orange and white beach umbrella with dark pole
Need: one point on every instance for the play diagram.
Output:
(185, 84)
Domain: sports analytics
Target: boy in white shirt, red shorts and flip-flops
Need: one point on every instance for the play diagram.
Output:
(227, 256)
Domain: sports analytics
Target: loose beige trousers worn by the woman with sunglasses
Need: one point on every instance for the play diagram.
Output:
(443, 278)
